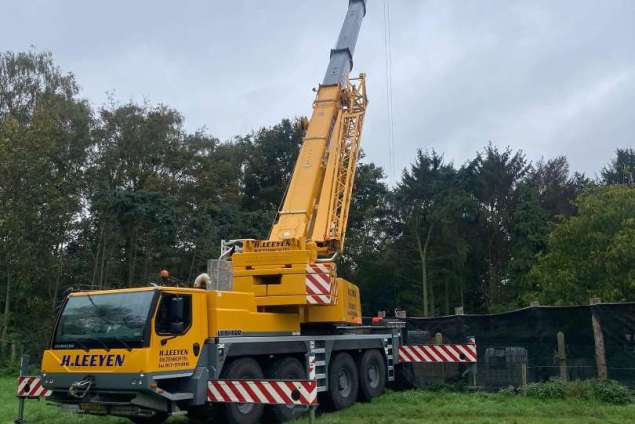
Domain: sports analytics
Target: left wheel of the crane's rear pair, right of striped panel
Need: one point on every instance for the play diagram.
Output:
(343, 381)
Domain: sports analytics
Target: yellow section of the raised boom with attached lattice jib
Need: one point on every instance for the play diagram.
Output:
(318, 199)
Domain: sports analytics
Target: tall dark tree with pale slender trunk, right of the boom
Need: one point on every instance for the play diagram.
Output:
(428, 207)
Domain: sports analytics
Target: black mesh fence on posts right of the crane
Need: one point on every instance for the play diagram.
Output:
(522, 346)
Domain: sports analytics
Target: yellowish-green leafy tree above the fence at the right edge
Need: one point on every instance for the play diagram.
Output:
(591, 254)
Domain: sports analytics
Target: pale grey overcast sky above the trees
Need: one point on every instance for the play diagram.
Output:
(548, 77)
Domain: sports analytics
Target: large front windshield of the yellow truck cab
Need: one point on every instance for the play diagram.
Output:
(104, 321)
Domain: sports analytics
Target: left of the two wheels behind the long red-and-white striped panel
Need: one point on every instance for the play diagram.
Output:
(242, 413)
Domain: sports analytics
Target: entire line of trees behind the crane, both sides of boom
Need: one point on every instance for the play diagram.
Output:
(105, 197)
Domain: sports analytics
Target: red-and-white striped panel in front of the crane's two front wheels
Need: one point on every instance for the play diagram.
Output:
(263, 391)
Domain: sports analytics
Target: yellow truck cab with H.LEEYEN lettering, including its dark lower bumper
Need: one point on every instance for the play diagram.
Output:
(133, 352)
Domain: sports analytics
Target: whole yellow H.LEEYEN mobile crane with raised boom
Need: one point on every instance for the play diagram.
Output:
(286, 330)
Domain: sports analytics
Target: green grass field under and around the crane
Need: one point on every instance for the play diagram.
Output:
(396, 407)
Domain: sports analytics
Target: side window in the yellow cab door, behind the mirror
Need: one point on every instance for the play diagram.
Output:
(174, 315)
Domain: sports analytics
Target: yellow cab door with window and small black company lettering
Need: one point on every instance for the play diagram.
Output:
(178, 331)
